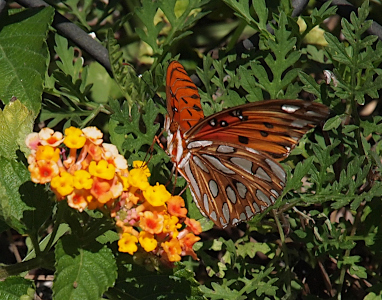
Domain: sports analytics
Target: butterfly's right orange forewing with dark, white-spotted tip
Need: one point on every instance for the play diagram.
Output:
(273, 126)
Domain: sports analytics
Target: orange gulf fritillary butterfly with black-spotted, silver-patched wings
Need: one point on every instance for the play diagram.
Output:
(231, 159)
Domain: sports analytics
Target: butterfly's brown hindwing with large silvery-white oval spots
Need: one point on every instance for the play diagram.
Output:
(232, 183)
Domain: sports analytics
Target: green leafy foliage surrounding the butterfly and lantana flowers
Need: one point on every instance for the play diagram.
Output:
(333, 233)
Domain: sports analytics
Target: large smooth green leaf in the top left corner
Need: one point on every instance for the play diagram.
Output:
(24, 56)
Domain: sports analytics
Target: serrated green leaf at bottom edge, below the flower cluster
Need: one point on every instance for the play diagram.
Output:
(82, 272)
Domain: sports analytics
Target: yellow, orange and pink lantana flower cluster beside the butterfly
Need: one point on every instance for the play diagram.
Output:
(91, 174)
